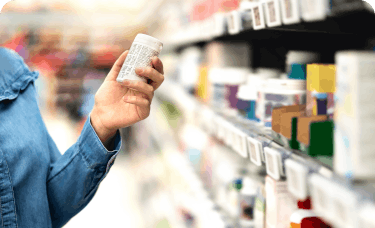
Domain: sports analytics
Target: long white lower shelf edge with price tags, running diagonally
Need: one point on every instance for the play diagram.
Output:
(306, 176)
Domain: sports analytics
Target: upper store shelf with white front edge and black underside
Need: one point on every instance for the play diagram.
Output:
(341, 19)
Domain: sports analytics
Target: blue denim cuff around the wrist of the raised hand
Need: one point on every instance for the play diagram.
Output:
(93, 150)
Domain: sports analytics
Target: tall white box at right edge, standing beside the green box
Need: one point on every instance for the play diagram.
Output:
(355, 114)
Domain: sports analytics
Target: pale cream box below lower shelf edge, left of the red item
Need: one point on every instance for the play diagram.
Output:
(280, 204)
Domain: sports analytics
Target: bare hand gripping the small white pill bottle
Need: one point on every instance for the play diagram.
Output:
(119, 105)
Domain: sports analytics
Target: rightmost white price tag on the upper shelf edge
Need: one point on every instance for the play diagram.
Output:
(314, 10)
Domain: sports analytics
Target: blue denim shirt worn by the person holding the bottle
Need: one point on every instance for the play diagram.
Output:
(39, 187)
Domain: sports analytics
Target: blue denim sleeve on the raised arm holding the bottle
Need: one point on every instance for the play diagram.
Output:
(75, 176)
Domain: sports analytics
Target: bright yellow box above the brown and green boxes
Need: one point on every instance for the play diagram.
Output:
(321, 78)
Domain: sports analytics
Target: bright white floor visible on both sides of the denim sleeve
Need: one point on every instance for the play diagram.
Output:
(115, 204)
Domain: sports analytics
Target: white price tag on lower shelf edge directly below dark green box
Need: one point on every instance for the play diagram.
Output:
(321, 199)
